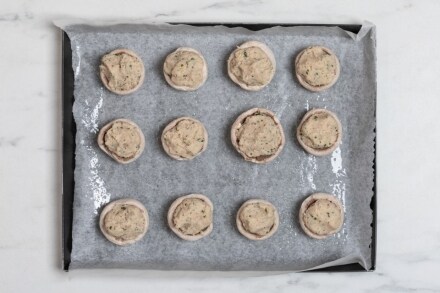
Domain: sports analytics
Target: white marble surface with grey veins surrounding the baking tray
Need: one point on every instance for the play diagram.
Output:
(408, 136)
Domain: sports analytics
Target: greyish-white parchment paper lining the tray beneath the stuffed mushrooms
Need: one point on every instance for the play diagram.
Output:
(220, 172)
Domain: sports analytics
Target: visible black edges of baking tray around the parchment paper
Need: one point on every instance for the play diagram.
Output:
(69, 133)
